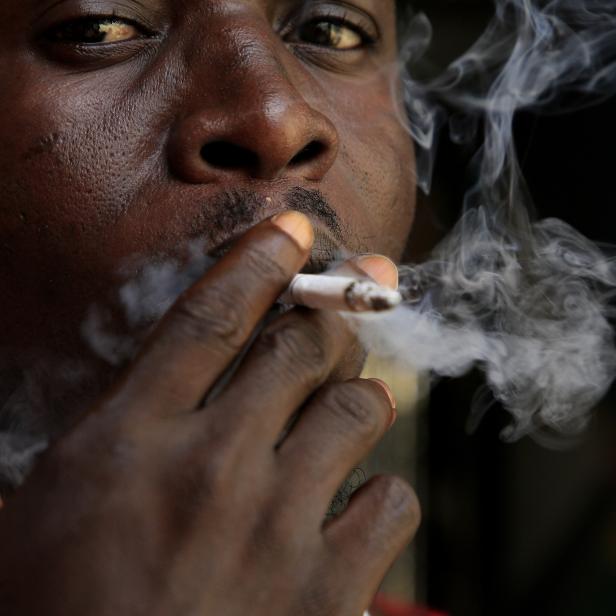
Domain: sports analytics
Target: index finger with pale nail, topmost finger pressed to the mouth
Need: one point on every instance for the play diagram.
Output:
(210, 324)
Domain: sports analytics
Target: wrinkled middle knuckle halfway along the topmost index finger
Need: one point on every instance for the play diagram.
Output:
(214, 315)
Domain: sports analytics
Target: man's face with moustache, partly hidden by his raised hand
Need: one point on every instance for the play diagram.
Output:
(130, 127)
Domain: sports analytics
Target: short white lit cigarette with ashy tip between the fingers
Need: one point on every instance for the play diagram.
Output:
(341, 293)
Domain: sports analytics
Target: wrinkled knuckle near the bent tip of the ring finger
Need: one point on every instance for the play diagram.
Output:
(357, 408)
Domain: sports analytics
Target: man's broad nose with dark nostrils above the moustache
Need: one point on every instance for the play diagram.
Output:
(251, 122)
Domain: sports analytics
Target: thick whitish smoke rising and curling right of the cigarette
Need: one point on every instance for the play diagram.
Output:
(527, 302)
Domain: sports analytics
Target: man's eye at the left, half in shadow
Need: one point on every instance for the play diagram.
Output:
(96, 30)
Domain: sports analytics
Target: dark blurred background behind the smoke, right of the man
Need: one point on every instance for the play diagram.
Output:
(508, 528)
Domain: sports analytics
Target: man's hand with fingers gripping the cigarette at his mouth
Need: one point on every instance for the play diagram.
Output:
(158, 500)
